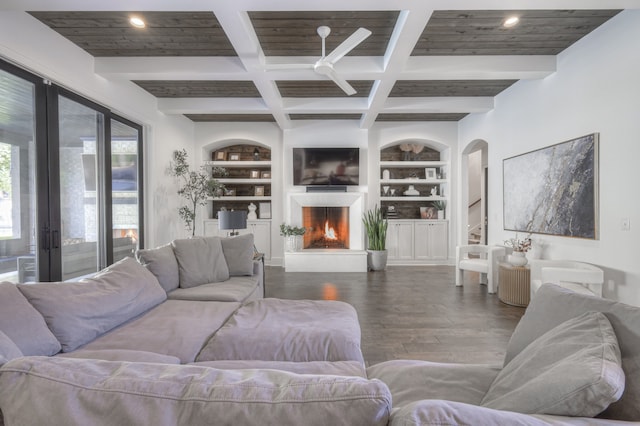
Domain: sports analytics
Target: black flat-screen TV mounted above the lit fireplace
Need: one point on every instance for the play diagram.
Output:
(326, 166)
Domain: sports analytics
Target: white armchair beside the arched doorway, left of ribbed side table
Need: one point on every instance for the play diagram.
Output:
(486, 263)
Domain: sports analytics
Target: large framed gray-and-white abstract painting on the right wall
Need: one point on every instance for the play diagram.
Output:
(553, 190)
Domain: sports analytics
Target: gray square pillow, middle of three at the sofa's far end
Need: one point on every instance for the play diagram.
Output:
(200, 261)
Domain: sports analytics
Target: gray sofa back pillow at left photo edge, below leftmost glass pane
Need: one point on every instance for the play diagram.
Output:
(23, 324)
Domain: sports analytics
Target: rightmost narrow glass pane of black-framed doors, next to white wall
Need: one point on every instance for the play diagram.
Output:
(125, 205)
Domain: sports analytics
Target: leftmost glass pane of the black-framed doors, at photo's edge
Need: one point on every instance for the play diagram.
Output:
(18, 237)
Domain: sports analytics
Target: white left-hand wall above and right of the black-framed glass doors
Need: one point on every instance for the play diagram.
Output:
(31, 45)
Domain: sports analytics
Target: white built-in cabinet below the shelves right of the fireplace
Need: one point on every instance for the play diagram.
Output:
(417, 241)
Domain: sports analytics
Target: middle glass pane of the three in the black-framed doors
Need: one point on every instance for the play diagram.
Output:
(81, 131)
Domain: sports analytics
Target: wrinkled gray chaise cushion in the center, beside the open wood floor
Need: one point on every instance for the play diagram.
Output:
(288, 330)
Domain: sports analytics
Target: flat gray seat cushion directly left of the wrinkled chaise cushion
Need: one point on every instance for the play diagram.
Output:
(176, 327)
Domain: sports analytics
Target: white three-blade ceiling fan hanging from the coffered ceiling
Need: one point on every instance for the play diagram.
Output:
(324, 65)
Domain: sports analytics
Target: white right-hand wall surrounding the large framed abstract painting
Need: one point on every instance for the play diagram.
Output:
(596, 89)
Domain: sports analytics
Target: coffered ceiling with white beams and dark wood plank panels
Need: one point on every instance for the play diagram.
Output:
(223, 60)
